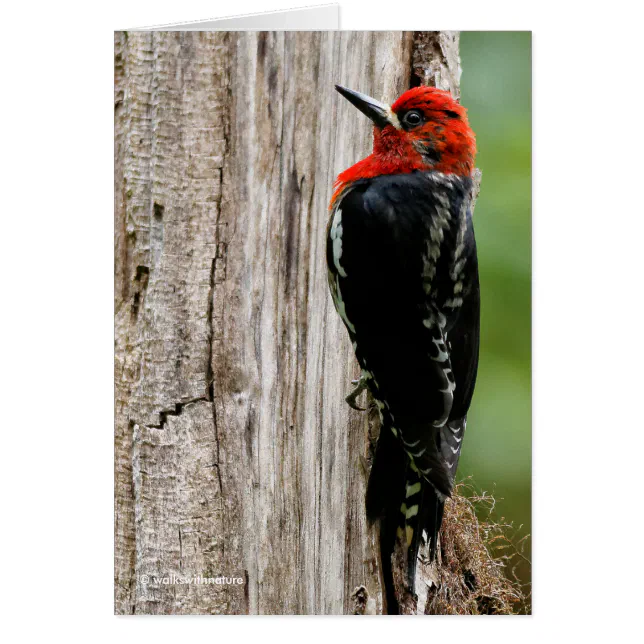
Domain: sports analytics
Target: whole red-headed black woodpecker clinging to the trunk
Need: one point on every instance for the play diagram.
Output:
(403, 275)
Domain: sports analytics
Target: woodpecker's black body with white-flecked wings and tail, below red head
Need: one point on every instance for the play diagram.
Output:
(404, 278)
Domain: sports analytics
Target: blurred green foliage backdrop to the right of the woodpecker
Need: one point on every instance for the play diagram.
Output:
(496, 89)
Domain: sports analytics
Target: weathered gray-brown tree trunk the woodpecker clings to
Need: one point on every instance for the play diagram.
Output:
(236, 455)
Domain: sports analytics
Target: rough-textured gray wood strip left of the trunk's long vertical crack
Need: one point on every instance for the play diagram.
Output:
(171, 95)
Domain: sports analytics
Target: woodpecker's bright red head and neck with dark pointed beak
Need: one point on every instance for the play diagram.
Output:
(425, 129)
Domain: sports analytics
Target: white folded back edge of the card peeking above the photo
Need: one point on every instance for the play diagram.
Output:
(317, 18)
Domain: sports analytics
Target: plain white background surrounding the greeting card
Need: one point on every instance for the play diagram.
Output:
(57, 265)
